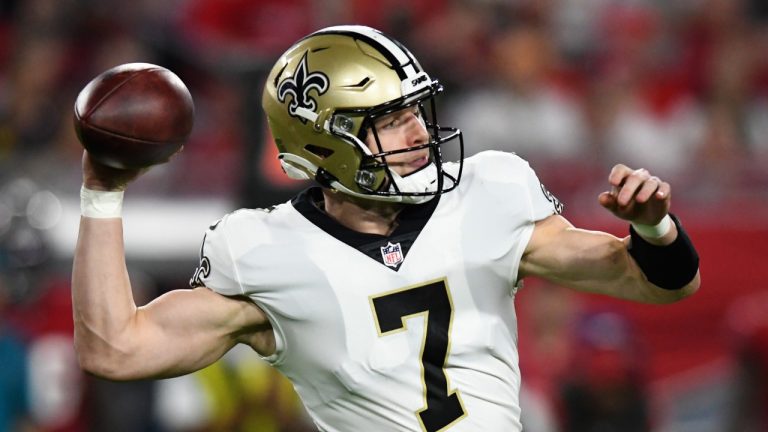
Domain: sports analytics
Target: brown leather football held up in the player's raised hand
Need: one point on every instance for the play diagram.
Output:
(134, 116)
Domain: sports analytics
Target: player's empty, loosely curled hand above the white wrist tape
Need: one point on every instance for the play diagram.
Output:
(636, 195)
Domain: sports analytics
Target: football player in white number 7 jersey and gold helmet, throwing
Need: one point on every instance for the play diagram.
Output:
(385, 293)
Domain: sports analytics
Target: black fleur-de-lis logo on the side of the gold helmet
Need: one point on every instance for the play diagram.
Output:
(298, 87)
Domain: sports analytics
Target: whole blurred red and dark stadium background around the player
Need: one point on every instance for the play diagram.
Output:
(574, 86)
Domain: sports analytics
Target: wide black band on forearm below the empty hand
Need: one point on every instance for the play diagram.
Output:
(670, 267)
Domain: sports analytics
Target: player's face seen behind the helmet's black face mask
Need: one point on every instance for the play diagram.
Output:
(401, 130)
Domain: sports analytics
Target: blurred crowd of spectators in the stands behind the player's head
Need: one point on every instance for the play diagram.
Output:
(574, 86)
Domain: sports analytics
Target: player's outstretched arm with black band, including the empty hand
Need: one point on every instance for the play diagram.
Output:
(658, 266)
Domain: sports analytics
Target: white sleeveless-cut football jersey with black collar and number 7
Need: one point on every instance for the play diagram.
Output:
(415, 331)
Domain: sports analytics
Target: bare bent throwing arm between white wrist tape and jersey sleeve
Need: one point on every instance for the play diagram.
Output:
(177, 333)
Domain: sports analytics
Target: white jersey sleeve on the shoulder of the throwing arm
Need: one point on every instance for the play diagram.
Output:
(217, 269)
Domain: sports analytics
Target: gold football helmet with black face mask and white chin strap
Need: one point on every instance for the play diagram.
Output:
(323, 97)
